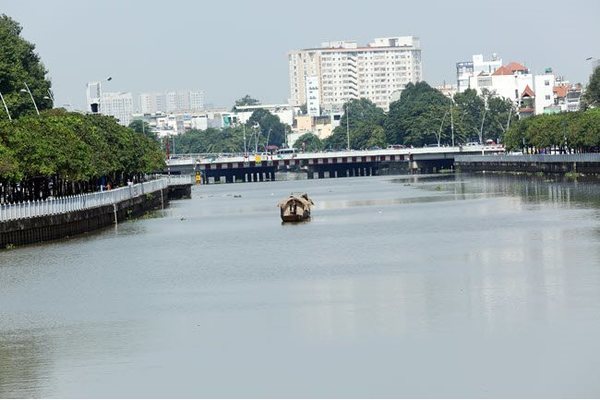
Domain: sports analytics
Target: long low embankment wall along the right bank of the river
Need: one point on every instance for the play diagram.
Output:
(546, 163)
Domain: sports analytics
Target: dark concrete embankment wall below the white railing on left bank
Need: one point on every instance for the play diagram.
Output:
(50, 227)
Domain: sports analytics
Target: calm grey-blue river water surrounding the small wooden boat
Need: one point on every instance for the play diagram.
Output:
(415, 286)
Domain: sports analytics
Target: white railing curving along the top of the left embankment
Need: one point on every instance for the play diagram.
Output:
(66, 204)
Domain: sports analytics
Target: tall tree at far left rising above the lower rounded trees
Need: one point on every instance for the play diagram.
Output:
(20, 65)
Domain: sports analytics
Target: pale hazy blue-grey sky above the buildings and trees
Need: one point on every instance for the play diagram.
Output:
(232, 48)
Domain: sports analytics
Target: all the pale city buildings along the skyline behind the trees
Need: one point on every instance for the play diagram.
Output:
(323, 79)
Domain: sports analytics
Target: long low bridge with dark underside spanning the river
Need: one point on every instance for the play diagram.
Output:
(231, 168)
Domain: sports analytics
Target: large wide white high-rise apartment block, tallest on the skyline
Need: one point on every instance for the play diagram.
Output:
(340, 71)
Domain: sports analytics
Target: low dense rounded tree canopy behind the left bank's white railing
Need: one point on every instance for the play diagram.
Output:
(75, 147)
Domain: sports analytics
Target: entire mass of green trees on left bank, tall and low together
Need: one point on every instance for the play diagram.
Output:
(51, 152)
